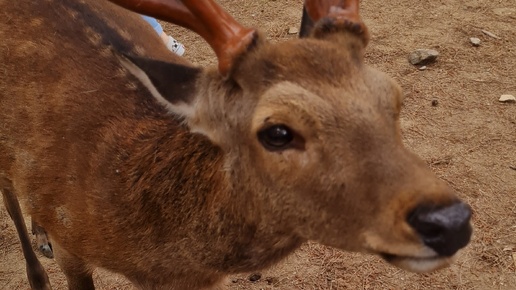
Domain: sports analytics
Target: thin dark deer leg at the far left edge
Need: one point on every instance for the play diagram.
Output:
(38, 278)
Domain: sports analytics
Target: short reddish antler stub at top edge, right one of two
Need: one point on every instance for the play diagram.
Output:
(339, 12)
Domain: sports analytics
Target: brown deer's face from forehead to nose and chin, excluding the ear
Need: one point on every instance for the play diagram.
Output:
(323, 135)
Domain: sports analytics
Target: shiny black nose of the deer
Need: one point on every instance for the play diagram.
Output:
(444, 229)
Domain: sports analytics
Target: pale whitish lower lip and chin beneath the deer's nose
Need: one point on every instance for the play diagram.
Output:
(418, 264)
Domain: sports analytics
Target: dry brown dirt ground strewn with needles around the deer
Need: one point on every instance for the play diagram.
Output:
(451, 118)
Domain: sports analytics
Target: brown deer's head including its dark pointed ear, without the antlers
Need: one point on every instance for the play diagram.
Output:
(314, 135)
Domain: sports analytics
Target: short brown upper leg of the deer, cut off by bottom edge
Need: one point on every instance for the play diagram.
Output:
(78, 273)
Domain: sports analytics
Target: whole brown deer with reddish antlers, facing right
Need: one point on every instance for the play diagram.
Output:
(132, 159)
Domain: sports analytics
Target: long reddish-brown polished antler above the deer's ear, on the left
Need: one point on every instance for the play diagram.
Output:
(224, 34)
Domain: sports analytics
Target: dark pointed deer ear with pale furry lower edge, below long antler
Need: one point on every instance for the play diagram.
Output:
(173, 85)
